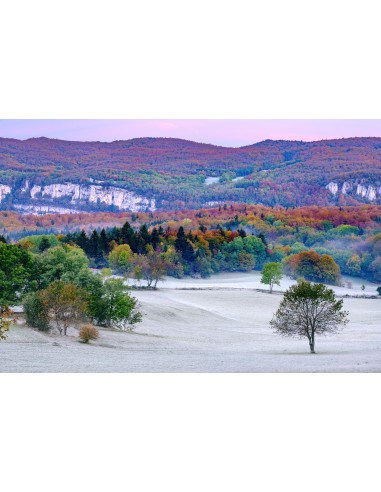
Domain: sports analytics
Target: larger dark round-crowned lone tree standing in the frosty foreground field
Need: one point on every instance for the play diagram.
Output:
(308, 310)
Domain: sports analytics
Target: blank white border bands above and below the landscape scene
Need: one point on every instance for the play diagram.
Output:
(200, 59)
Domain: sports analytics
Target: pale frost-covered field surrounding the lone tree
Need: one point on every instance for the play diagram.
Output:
(219, 325)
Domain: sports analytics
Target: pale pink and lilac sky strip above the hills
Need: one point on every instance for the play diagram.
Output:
(234, 133)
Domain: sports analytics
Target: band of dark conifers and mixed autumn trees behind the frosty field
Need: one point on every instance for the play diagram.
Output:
(149, 254)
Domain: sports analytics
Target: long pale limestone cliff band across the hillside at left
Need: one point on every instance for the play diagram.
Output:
(78, 195)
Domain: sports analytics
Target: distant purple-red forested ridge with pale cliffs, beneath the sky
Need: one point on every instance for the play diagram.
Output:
(167, 173)
